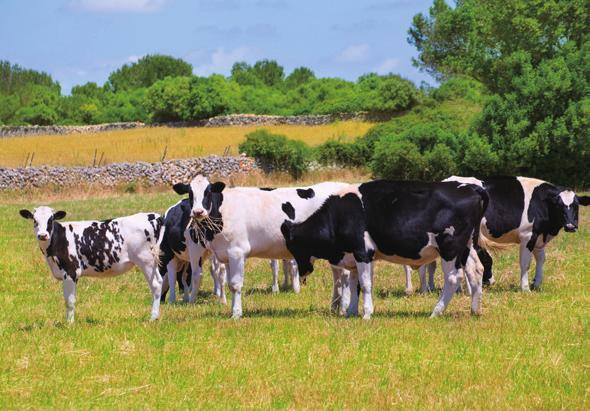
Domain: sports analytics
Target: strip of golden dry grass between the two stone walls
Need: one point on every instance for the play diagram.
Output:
(148, 144)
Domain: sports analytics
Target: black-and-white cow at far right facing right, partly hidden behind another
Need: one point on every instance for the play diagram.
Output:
(525, 211)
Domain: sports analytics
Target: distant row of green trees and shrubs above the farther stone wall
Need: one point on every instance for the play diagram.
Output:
(161, 89)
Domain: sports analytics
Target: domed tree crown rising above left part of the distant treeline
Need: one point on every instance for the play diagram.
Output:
(146, 71)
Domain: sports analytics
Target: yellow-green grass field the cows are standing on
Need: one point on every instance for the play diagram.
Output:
(526, 351)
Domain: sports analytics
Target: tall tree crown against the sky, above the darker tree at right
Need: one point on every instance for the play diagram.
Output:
(478, 39)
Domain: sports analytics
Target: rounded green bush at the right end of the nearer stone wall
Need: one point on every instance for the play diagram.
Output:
(277, 152)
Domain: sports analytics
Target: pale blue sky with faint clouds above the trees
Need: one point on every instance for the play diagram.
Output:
(84, 40)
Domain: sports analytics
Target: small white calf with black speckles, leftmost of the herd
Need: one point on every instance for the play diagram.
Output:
(98, 249)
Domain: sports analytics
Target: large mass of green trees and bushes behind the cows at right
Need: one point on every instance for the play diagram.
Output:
(514, 99)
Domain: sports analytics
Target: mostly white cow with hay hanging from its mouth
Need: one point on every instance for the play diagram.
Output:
(241, 222)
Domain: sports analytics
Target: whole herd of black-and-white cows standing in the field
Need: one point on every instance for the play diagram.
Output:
(458, 220)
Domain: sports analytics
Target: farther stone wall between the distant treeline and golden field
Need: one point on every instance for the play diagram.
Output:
(219, 121)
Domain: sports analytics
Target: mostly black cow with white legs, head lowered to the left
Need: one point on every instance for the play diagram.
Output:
(402, 222)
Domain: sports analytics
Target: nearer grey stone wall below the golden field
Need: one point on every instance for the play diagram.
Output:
(114, 174)
